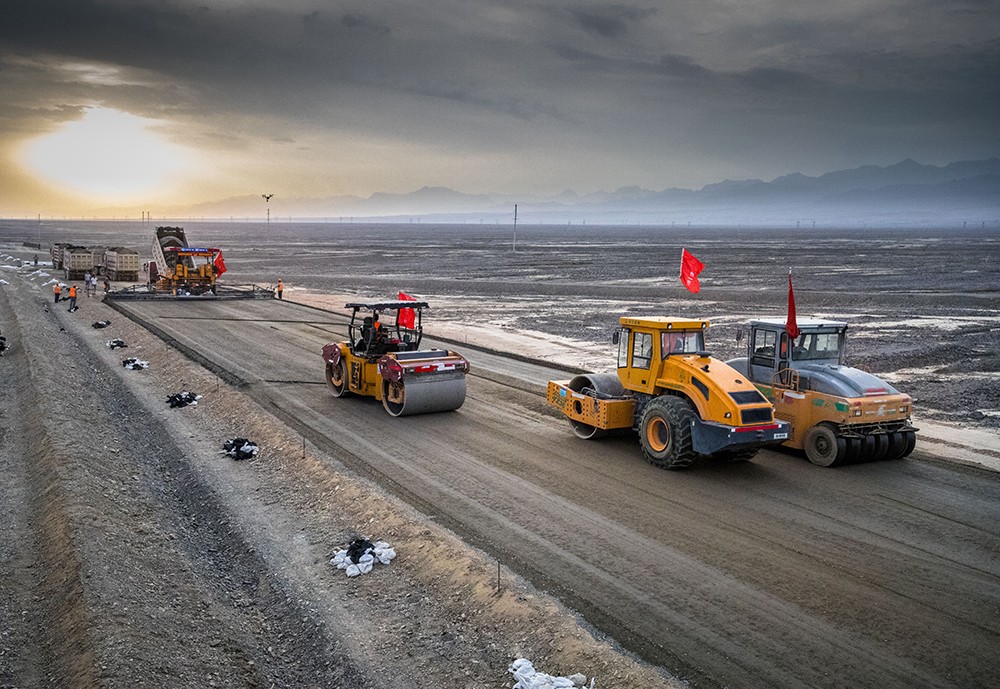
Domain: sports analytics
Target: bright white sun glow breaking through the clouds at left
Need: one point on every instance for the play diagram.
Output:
(107, 155)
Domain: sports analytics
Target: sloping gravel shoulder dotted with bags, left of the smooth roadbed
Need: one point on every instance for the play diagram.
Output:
(141, 556)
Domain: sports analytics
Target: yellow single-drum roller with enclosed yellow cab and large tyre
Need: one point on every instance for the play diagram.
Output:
(681, 401)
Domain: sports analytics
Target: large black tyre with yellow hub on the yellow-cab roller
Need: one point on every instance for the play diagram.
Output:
(665, 432)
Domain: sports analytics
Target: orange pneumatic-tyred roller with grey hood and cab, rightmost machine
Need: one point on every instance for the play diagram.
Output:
(838, 414)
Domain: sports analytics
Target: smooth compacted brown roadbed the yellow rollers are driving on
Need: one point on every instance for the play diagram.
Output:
(776, 573)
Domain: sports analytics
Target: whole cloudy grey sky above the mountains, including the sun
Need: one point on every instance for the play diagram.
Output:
(218, 98)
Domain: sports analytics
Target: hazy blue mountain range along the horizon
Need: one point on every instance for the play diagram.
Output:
(907, 193)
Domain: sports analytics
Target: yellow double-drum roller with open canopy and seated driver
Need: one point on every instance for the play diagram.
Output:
(384, 361)
